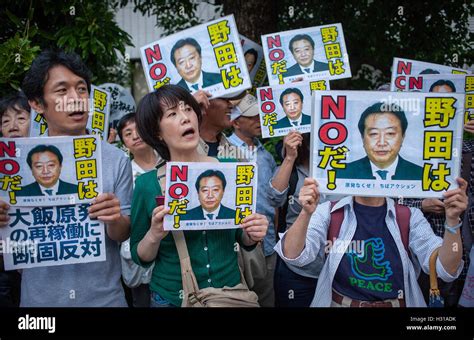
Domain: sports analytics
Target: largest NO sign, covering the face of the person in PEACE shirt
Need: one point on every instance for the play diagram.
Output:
(386, 143)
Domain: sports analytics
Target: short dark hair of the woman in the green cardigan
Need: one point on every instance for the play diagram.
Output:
(150, 112)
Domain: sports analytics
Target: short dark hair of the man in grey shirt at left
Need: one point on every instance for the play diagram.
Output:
(37, 75)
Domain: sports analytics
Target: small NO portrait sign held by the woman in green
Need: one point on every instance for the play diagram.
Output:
(207, 196)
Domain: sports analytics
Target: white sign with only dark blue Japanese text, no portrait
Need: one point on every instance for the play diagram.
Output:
(51, 236)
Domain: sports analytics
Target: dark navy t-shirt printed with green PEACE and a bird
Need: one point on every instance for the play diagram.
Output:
(371, 268)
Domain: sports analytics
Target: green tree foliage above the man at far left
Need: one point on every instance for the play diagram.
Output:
(85, 27)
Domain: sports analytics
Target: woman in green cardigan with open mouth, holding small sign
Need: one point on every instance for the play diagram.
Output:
(168, 120)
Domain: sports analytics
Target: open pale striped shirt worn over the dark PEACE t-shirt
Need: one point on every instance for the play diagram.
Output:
(422, 242)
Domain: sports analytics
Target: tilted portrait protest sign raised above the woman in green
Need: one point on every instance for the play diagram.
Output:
(178, 59)
